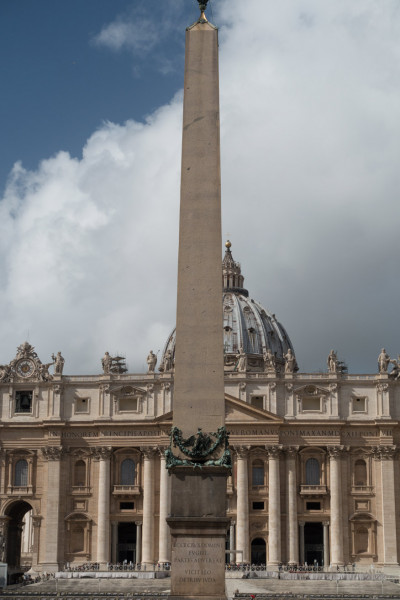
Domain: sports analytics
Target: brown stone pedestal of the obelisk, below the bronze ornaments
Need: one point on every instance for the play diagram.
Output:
(198, 529)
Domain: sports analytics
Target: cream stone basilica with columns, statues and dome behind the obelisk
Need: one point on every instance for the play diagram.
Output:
(316, 472)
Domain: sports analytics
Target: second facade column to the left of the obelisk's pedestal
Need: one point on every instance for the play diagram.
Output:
(148, 506)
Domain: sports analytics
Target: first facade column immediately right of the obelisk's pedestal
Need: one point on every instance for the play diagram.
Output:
(242, 505)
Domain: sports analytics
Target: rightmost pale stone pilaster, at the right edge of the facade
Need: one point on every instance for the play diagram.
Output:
(386, 455)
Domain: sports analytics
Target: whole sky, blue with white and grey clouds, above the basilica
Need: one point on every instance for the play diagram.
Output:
(90, 143)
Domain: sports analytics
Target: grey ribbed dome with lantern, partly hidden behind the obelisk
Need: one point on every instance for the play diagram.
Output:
(248, 327)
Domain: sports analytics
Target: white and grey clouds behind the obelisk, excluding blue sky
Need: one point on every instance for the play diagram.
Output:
(310, 107)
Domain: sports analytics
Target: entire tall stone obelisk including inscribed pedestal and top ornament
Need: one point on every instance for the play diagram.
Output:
(198, 458)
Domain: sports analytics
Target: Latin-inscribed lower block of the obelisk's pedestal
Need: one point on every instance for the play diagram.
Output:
(198, 561)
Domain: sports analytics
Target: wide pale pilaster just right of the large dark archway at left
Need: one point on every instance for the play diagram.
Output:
(53, 456)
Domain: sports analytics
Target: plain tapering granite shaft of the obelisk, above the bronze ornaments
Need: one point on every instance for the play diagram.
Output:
(199, 370)
